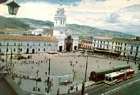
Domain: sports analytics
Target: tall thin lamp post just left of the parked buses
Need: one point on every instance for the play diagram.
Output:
(83, 84)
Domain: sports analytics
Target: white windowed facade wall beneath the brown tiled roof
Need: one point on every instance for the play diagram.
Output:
(27, 46)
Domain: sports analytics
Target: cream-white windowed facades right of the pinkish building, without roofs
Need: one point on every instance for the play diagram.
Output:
(123, 47)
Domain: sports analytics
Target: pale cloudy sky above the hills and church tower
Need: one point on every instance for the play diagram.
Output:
(117, 15)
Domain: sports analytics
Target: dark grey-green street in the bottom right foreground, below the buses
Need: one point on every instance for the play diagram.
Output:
(128, 87)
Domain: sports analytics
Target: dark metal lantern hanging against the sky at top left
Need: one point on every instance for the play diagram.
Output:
(13, 8)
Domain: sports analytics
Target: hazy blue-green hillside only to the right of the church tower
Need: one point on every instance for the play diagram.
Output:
(91, 31)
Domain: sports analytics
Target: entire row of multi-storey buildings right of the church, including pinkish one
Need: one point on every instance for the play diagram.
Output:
(114, 46)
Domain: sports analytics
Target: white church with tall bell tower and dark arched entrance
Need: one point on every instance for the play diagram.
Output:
(66, 40)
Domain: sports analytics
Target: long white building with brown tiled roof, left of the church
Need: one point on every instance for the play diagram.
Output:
(27, 44)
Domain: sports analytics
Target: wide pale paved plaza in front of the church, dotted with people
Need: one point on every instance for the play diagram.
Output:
(63, 66)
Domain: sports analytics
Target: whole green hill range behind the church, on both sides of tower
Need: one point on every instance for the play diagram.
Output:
(21, 25)
